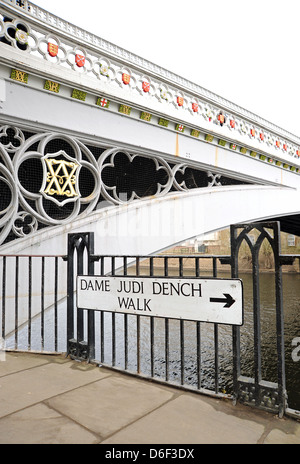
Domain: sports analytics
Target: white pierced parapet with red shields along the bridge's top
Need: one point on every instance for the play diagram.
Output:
(106, 63)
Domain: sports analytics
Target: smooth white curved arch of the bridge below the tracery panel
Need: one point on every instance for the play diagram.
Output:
(152, 225)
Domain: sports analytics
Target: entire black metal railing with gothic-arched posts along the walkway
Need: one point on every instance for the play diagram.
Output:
(38, 312)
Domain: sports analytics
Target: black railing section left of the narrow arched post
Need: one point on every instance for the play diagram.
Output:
(31, 314)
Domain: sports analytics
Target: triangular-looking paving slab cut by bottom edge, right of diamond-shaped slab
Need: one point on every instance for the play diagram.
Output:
(188, 420)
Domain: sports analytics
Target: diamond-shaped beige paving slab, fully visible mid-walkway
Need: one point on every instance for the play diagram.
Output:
(110, 404)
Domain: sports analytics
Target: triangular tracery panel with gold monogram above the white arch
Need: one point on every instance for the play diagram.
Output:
(50, 179)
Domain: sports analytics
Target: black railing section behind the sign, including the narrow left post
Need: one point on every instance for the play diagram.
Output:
(190, 354)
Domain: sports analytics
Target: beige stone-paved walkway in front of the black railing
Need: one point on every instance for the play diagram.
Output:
(52, 400)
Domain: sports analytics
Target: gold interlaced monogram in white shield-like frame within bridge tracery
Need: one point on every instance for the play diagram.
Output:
(60, 178)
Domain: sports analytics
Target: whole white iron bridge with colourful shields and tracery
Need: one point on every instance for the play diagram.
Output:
(95, 138)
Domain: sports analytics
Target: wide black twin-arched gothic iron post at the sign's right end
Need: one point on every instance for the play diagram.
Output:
(257, 391)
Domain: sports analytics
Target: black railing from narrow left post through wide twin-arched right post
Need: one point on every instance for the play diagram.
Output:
(201, 356)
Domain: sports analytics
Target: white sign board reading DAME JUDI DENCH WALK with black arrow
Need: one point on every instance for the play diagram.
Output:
(206, 300)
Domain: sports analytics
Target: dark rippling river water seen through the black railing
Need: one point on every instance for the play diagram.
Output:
(291, 306)
